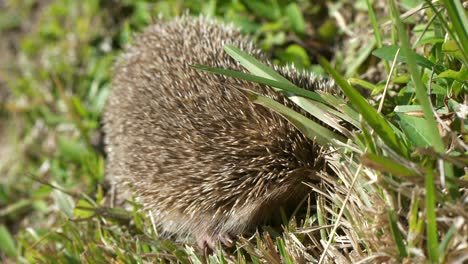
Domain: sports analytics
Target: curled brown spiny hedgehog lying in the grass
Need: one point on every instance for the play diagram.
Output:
(205, 161)
